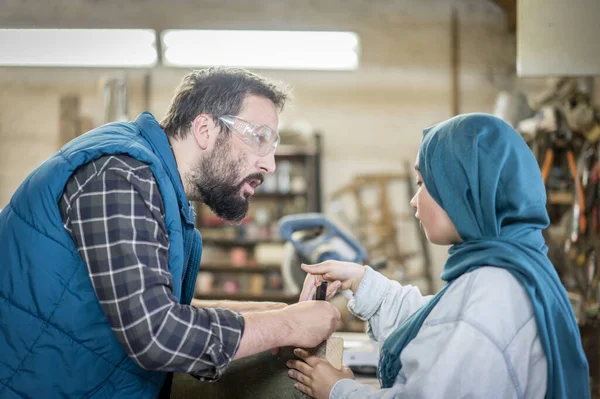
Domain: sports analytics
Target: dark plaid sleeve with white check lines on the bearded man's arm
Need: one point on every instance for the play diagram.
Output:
(114, 212)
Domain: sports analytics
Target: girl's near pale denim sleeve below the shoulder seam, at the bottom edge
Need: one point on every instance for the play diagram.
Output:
(445, 360)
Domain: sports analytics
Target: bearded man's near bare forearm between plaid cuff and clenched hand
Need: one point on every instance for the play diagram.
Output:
(263, 331)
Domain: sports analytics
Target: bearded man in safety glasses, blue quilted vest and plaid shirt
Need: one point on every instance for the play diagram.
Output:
(100, 253)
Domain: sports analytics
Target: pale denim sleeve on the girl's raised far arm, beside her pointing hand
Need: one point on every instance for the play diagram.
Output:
(384, 303)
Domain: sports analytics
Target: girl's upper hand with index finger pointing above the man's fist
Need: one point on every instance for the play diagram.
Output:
(340, 275)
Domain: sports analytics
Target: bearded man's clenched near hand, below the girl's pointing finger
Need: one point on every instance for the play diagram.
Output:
(310, 322)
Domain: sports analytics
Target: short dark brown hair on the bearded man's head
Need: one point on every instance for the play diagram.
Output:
(216, 91)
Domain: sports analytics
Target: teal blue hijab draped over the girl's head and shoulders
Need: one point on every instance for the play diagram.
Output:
(481, 172)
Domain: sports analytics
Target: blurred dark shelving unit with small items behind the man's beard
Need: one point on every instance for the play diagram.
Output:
(243, 262)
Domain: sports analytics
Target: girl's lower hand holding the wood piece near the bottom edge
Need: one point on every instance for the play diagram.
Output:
(315, 377)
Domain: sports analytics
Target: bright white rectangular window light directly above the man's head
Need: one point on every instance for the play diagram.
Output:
(261, 49)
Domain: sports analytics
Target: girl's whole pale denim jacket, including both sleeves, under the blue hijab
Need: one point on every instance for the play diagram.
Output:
(479, 341)
